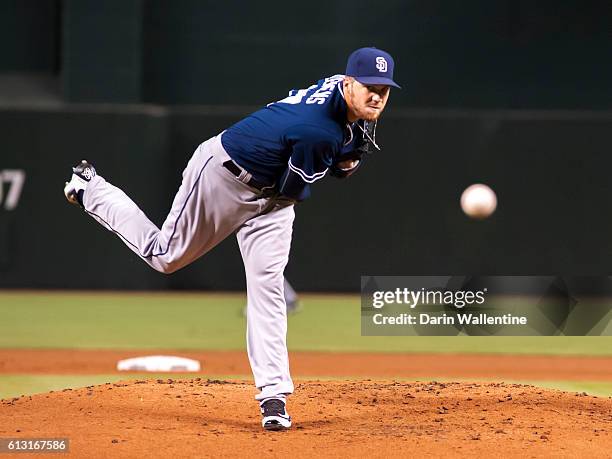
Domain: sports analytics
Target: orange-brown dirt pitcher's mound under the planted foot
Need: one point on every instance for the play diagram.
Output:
(195, 418)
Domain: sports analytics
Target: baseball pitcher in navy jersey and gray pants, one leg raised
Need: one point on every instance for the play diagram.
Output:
(246, 181)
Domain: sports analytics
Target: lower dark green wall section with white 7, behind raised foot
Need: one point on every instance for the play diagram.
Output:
(49, 243)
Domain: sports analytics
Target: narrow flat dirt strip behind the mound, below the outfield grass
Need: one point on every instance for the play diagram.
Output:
(316, 364)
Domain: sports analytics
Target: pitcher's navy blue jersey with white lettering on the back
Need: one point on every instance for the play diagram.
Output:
(292, 143)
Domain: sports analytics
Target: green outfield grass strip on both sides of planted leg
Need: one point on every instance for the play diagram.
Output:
(93, 320)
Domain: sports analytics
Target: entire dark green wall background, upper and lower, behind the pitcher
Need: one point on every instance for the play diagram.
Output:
(399, 215)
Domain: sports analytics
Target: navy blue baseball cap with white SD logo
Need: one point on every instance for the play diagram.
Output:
(371, 66)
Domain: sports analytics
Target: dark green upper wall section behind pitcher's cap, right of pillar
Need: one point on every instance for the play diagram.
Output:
(481, 53)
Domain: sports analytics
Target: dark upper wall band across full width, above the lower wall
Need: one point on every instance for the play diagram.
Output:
(477, 54)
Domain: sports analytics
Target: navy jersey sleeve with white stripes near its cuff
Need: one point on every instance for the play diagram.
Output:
(312, 153)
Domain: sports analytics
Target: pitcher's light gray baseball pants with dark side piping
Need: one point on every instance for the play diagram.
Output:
(211, 204)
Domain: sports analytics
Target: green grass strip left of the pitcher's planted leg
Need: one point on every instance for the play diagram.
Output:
(120, 320)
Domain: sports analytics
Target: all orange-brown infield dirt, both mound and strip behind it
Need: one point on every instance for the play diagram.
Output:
(198, 417)
